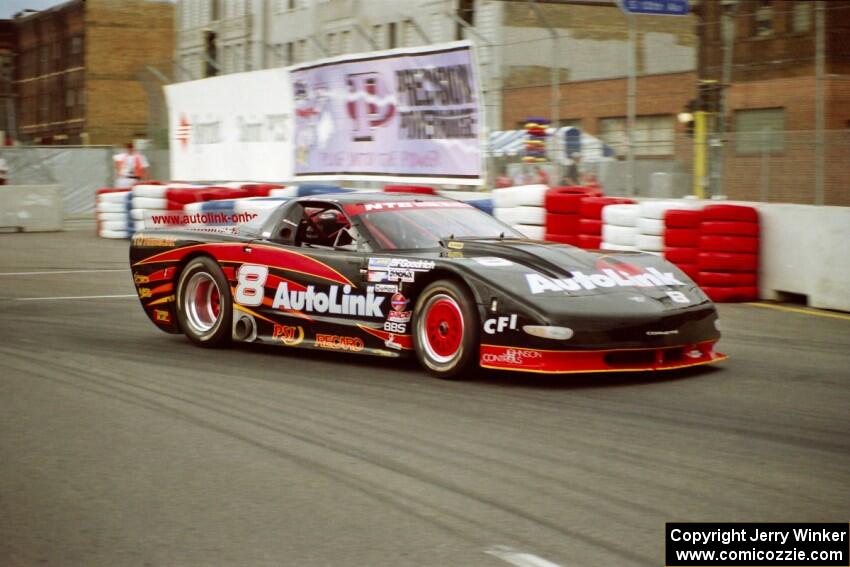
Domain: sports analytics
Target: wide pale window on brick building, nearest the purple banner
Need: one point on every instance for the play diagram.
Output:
(653, 135)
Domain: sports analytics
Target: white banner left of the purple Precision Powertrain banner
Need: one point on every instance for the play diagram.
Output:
(232, 127)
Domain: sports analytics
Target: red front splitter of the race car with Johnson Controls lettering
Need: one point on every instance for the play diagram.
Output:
(611, 360)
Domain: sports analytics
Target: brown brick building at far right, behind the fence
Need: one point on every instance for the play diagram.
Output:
(772, 146)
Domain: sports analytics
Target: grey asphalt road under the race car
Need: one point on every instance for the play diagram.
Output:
(121, 445)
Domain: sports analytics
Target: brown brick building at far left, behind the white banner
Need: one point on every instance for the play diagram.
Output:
(77, 74)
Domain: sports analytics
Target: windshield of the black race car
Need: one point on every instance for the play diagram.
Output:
(424, 224)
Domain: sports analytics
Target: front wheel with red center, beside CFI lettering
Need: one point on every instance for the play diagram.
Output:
(445, 336)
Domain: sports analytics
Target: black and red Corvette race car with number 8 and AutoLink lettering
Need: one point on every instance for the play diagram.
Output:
(394, 274)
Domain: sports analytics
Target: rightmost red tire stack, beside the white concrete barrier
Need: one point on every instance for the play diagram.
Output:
(728, 257)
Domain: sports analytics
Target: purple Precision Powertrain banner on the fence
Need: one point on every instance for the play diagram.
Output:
(410, 115)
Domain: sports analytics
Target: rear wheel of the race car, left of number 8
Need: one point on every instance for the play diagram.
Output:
(204, 304)
